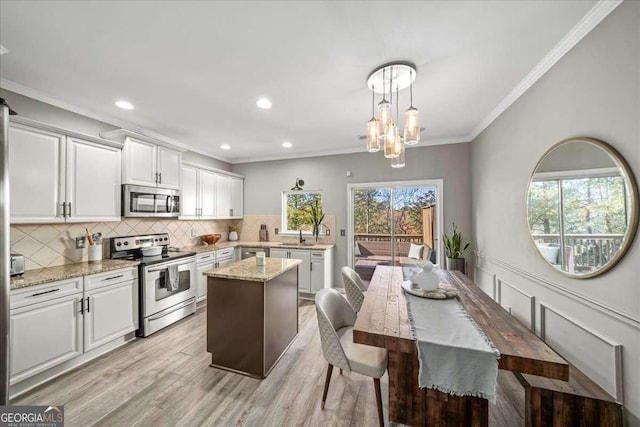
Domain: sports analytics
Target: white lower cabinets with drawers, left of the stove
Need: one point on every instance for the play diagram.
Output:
(56, 322)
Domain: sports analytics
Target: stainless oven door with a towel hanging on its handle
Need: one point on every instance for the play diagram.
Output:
(158, 295)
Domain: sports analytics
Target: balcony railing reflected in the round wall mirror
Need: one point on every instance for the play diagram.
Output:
(588, 251)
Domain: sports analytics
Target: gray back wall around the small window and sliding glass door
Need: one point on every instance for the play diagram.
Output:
(265, 182)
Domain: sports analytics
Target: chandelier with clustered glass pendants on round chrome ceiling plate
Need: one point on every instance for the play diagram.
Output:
(382, 132)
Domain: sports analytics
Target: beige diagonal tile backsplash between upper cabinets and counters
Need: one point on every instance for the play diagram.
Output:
(48, 245)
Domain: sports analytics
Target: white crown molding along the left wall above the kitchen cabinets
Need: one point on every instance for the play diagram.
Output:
(105, 118)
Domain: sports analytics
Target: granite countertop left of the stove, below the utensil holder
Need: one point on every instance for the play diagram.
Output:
(69, 271)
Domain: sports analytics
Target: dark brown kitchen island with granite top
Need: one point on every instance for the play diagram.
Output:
(252, 314)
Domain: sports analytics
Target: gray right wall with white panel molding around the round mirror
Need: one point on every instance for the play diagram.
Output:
(593, 91)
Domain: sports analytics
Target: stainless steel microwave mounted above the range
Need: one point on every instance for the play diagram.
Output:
(139, 201)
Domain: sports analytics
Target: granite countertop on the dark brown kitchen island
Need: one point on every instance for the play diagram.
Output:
(248, 270)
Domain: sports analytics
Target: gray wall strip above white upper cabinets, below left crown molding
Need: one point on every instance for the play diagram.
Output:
(46, 113)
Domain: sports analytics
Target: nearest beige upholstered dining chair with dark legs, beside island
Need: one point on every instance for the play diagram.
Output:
(335, 322)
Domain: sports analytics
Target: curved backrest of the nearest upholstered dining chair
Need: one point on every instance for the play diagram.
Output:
(334, 313)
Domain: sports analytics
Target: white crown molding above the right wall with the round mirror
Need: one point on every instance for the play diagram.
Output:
(597, 13)
